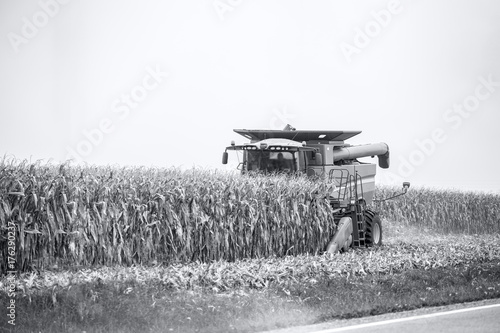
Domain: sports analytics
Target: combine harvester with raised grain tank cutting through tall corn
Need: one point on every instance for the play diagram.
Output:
(326, 156)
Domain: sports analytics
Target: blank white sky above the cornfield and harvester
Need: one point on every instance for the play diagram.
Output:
(263, 60)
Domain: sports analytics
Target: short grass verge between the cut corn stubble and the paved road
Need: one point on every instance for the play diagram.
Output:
(129, 306)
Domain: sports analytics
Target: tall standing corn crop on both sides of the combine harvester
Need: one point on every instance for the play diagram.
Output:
(86, 215)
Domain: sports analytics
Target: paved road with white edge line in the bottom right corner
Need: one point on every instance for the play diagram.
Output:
(483, 317)
